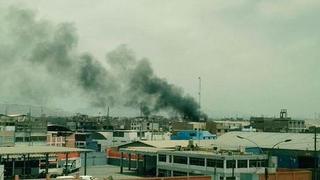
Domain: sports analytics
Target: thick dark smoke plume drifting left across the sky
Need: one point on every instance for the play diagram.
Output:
(40, 64)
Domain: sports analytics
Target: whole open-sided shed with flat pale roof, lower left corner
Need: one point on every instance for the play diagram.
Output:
(27, 161)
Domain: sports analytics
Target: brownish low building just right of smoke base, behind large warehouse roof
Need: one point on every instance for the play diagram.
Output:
(224, 126)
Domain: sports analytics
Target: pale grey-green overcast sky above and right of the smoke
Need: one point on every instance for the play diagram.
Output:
(254, 57)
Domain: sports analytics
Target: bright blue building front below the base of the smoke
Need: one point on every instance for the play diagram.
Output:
(192, 135)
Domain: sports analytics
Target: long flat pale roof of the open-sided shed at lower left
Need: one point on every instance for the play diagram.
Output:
(38, 150)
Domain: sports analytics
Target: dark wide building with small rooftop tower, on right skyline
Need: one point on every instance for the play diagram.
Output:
(282, 124)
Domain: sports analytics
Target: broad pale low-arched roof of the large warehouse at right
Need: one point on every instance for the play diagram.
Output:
(300, 141)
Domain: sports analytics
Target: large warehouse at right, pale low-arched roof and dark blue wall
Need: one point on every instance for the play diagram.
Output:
(297, 154)
